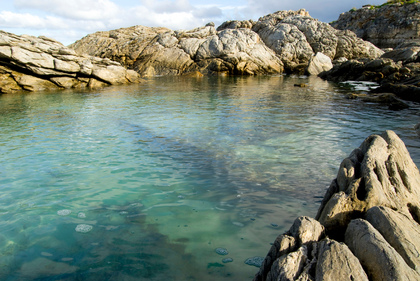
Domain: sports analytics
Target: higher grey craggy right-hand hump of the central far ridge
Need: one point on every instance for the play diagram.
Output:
(296, 38)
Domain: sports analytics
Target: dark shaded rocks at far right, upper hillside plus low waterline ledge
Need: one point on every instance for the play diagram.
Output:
(392, 25)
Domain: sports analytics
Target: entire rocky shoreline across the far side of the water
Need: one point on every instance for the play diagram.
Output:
(282, 42)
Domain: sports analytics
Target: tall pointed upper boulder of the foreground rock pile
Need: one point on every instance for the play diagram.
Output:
(378, 173)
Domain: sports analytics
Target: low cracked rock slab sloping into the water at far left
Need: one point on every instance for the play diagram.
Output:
(39, 63)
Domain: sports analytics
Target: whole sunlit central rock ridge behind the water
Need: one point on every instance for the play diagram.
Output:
(283, 41)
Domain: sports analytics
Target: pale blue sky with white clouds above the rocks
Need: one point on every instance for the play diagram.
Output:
(70, 20)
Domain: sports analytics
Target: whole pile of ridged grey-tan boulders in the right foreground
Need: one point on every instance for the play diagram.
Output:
(367, 226)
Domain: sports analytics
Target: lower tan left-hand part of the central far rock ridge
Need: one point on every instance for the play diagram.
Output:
(160, 51)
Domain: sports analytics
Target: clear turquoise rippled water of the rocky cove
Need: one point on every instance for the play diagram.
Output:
(170, 170)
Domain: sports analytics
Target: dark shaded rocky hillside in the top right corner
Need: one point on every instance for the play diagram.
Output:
(386, 26)
